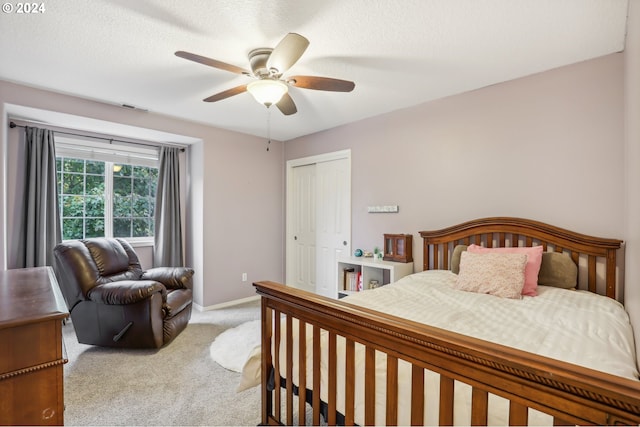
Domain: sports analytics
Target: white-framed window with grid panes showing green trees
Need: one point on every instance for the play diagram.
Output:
(106, 191)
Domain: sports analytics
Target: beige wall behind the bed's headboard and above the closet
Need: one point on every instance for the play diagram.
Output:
(549, 147)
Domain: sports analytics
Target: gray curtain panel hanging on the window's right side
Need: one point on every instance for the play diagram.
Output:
(168, 222)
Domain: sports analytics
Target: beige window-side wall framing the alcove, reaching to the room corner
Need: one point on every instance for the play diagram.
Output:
(235, 189)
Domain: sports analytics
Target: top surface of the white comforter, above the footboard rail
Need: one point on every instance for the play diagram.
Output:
(575, 326)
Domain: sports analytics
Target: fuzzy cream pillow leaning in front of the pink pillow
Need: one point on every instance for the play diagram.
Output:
(499, 274)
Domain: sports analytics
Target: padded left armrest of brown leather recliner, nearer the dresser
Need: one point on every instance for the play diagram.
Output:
(126, 292)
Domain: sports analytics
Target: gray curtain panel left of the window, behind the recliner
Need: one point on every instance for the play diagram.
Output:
(40, 226)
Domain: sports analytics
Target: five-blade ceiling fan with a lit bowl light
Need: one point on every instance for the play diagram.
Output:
(268, 66)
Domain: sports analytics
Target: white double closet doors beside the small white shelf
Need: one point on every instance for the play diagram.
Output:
(318, 220)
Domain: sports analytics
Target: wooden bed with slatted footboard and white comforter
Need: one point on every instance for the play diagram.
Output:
(366, 362)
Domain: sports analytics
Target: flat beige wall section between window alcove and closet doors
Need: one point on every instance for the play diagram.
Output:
(242, 216)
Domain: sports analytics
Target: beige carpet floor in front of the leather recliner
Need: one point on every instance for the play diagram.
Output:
(179, 384)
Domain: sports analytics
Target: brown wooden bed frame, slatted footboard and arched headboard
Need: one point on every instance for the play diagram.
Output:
(569, 393)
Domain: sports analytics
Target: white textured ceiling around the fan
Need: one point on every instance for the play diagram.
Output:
(399, 53)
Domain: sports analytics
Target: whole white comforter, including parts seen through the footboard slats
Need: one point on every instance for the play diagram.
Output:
(574, 326)
